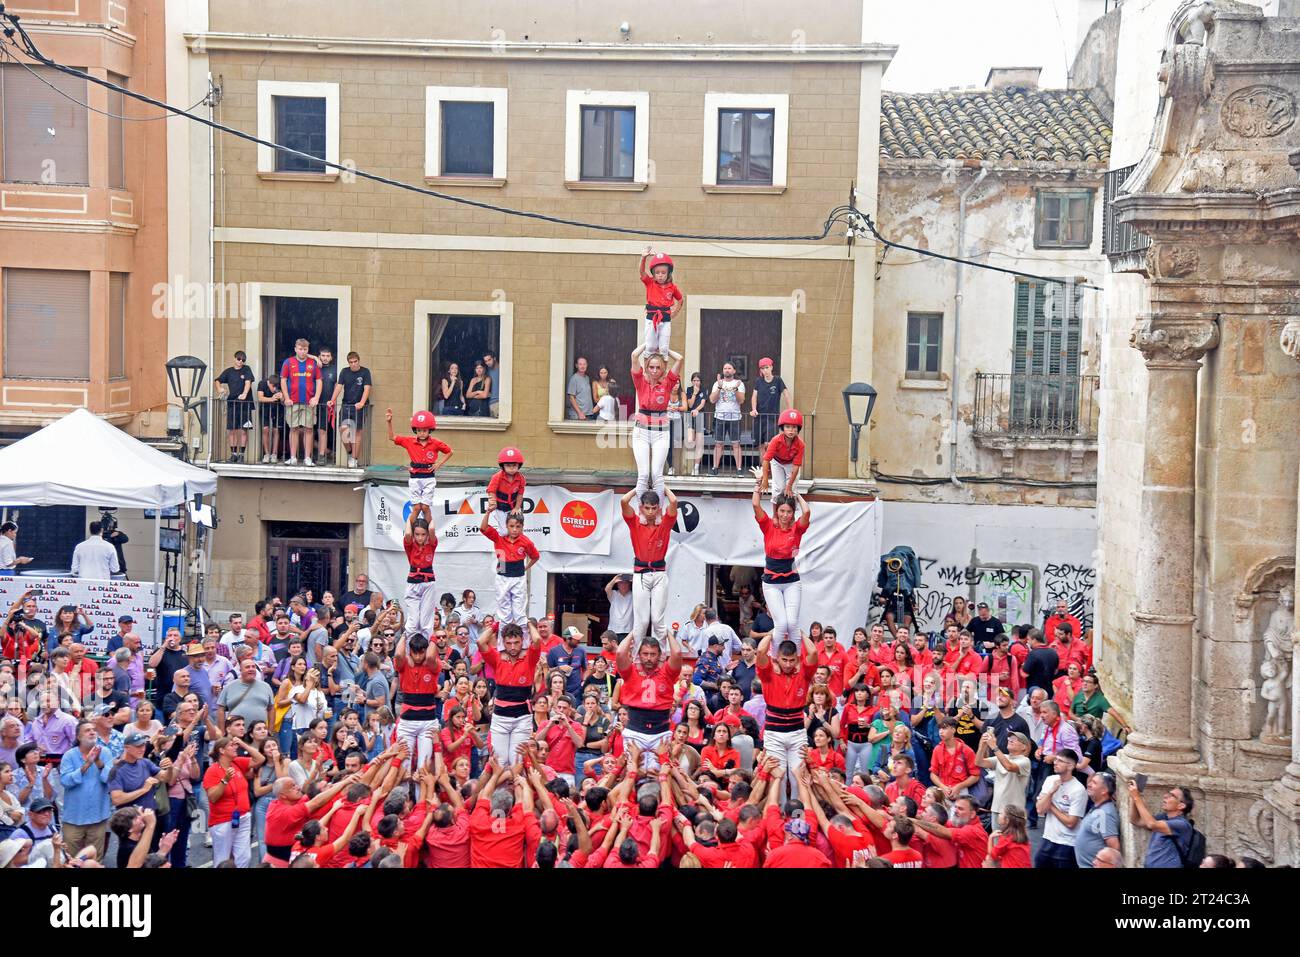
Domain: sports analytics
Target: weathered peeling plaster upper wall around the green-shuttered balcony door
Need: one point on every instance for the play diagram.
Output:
(912, 423)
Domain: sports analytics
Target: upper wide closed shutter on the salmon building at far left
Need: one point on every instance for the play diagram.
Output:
(45, 133)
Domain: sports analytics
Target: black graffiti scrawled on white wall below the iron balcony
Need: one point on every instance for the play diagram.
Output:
(1016, 594)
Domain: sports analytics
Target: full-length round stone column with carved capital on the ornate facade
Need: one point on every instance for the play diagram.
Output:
(1163, 635)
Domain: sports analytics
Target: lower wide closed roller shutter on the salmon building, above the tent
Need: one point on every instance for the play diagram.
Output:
(46, 324)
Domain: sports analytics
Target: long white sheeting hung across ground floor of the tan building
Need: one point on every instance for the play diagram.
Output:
(838, 560)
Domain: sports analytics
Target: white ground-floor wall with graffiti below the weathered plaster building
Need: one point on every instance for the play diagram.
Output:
(1024, 557)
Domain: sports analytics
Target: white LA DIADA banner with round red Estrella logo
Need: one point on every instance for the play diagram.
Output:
(554, 518)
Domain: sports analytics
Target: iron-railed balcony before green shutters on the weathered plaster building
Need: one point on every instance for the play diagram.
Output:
(1029, 410)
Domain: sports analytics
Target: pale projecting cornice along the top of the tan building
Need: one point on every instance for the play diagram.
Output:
(515, 50)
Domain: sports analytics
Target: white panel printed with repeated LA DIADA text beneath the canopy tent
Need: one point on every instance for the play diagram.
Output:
(102, 601)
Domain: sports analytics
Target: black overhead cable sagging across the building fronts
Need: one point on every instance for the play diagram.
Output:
(853, 219)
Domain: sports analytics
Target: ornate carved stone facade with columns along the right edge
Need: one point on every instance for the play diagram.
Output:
(1199, 471)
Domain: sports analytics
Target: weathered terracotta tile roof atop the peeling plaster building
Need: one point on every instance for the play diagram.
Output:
(995, 125)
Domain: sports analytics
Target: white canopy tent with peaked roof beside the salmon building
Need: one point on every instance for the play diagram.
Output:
(115, 470)
